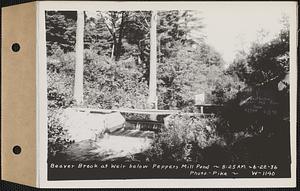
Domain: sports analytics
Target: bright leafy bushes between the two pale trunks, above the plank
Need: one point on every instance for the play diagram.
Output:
(110, 84)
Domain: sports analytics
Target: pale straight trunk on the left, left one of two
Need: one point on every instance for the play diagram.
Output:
(78, 86)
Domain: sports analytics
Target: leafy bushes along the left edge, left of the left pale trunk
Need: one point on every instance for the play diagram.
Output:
(60, 69)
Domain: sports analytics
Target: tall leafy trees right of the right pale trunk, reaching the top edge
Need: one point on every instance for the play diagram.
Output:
(187, 65)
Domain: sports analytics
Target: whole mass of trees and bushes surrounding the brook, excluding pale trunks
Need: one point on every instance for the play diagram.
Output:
(253, 90)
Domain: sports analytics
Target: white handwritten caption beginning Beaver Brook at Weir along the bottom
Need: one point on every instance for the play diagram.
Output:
(189, 169)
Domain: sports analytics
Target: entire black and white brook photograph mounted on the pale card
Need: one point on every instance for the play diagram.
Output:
(182, 93)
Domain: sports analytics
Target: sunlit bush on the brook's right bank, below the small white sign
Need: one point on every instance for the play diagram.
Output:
(184, 138)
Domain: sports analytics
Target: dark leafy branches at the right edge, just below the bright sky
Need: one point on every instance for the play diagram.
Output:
(265, 62)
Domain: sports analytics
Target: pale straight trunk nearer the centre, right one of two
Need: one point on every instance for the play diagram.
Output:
(153, 61)
